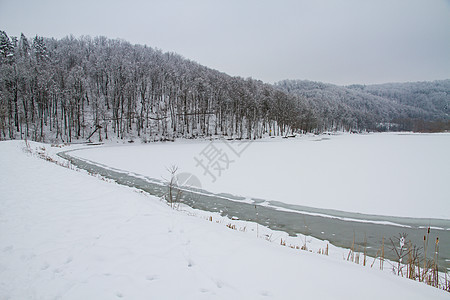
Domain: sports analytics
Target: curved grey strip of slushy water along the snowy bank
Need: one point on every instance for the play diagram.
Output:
(339, 228)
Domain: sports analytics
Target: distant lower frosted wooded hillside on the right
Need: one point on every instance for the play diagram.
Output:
(421, 106)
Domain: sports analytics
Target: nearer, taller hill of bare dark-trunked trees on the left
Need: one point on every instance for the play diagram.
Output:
(67, 89)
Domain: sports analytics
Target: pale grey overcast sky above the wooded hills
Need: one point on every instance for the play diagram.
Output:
(341, 42)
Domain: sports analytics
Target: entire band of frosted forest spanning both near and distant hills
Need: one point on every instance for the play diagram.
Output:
(99, 88)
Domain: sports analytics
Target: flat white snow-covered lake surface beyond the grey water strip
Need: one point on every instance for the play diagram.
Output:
(384, 174)
